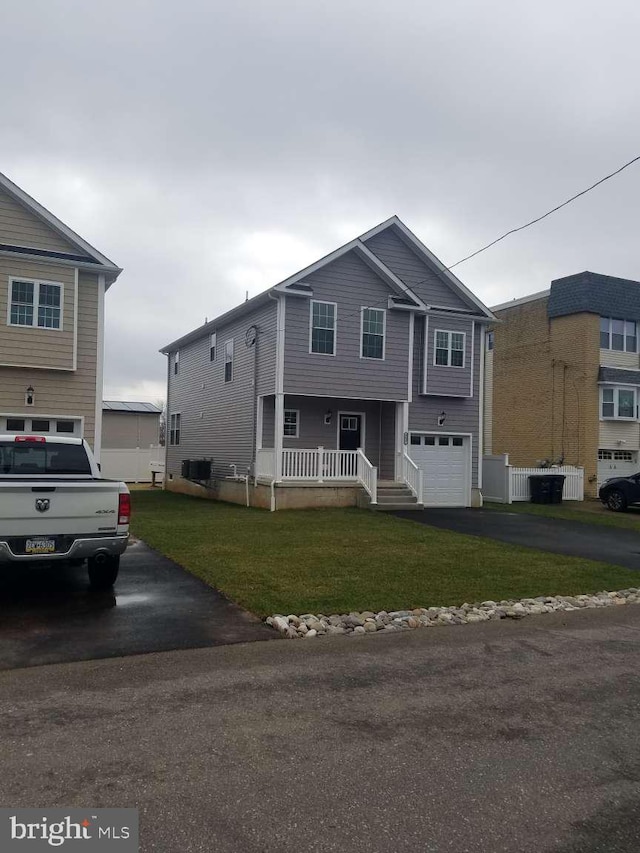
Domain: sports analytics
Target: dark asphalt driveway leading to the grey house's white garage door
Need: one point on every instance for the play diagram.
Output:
(595, 541)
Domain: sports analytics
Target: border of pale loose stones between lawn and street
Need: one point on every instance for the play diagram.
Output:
(309, 625)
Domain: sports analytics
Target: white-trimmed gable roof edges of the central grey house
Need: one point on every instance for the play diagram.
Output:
(401, 294)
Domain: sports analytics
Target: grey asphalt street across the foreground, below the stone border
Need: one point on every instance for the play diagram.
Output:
(512, 736)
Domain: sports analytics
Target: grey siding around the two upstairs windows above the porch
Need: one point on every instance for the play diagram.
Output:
(351, 284)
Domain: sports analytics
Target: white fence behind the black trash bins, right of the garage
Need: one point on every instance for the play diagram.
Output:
(503, 483)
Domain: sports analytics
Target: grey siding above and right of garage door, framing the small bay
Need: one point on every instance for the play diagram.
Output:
(462, 415)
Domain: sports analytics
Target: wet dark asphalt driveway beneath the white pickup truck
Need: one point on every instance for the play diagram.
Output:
(51, 616)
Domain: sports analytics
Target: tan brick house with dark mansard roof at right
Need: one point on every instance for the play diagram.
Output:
(562, 377)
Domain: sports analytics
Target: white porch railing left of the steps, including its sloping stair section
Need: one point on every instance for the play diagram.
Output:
(320, 465)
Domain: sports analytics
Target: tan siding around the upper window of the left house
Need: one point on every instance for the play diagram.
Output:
(21, 345)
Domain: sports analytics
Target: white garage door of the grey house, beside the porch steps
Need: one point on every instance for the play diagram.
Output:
(445, 461)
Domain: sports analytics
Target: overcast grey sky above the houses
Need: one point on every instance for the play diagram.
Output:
(212, 148)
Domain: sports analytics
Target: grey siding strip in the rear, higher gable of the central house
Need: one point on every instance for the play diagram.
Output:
(405, 263)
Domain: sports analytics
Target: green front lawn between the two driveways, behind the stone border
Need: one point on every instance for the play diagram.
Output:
(337, 560)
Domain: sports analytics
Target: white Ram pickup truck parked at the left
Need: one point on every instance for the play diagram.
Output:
(54, 505)
